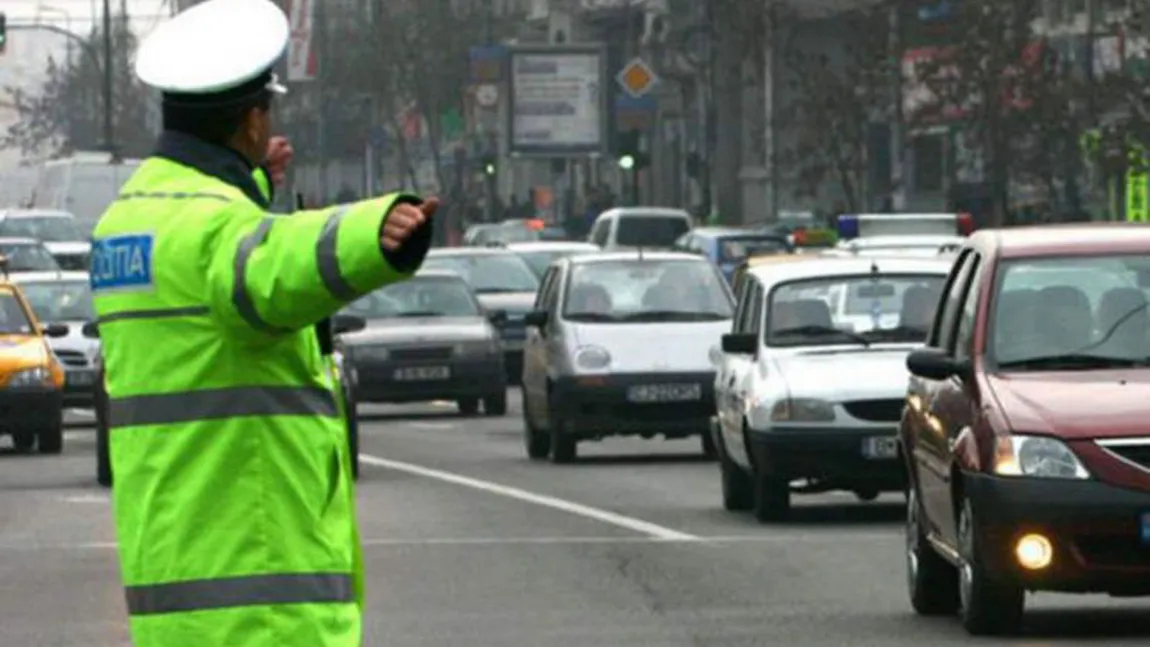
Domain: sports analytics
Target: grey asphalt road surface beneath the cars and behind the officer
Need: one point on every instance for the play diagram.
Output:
(470, 544)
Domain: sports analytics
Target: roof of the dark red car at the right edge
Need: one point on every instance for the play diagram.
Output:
(1069, 240)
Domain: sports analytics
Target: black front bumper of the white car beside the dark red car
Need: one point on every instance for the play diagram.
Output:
(833, 456)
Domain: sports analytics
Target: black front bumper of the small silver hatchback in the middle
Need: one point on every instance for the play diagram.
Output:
(597, 406)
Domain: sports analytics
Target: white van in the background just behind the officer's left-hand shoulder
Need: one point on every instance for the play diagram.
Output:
(82, 186)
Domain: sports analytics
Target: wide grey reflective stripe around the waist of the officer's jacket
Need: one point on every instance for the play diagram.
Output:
(220, 404)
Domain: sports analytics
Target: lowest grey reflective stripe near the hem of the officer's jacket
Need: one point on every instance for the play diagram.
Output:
(201, 595)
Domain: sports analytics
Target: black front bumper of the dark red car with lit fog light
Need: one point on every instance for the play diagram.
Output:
(1095, 529)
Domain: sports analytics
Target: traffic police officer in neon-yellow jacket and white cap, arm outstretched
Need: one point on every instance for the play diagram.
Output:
(234, 502)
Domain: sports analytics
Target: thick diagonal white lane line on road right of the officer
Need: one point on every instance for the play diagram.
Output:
(571, 507)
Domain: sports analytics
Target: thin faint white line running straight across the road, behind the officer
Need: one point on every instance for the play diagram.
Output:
(780, 538)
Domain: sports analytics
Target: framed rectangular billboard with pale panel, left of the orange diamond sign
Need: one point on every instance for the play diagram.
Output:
(558, 101)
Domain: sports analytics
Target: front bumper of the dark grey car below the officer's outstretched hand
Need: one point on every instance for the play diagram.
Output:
(467, 379)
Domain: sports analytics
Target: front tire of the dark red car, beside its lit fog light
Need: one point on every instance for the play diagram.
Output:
(988, 606)
